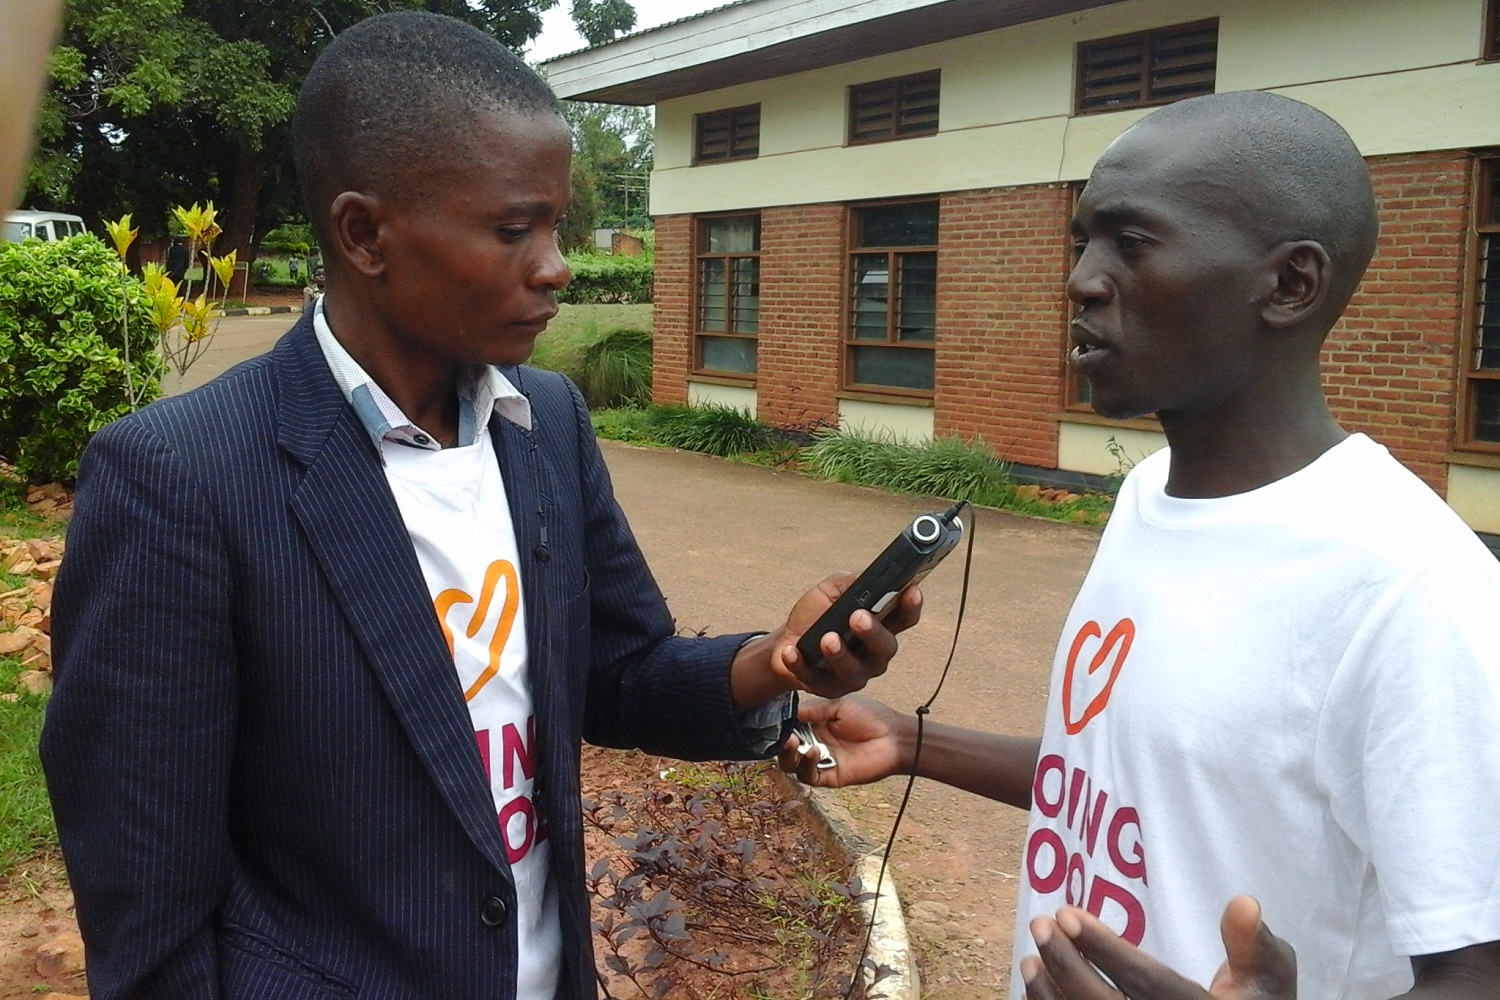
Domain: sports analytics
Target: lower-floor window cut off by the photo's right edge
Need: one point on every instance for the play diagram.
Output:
(1481, 391)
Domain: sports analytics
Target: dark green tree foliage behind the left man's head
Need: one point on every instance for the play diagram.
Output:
(157, 103)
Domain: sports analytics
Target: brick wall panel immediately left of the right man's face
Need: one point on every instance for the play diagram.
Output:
(1003, 260)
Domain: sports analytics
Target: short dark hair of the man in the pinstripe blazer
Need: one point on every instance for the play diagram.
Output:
(392, 103)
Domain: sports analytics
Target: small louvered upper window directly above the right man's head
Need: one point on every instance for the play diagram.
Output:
(1150, 68)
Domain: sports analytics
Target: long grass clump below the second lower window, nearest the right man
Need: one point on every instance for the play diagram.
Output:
(946, 469)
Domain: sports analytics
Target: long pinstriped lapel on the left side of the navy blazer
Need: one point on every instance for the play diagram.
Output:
(355, 527)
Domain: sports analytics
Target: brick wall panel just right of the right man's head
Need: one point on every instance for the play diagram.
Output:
(1390, 362)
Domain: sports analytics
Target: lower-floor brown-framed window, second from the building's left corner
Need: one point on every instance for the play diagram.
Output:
(893, 298)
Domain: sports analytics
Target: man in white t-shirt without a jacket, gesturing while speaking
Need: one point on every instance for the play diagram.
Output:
(1282, 677)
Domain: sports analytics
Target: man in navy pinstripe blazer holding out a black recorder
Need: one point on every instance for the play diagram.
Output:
(266, 749)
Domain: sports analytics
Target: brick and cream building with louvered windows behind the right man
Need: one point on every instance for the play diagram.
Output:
(863, 208)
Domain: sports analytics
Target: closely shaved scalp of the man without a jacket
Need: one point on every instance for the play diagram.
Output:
(1283, 169)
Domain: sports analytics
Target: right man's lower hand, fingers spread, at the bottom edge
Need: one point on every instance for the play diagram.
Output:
(1076, 948)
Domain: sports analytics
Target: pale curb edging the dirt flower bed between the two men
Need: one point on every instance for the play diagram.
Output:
(890, 945)
